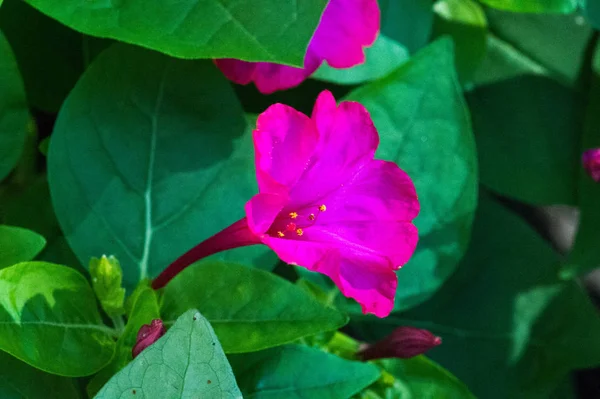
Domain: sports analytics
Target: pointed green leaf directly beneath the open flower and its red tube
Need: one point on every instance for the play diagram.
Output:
(249, 309)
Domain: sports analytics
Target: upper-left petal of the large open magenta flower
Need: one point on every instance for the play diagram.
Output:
(284, 140)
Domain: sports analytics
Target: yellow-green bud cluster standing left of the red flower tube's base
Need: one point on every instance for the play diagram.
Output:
(107, 277)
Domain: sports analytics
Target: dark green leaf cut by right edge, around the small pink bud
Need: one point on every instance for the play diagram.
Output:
(585, 254)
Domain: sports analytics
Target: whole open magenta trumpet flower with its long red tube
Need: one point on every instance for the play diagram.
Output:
(325, 203)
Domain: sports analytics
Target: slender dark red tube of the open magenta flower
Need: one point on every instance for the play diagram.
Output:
(234, 236)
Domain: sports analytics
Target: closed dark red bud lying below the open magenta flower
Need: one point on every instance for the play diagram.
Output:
(403, 342)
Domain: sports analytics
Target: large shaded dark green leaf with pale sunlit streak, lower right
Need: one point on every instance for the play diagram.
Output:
(506, 310)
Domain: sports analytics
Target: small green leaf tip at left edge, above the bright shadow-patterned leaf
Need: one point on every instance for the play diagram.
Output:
(18, 245)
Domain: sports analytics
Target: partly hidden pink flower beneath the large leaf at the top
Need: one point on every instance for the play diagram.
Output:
(345, 28)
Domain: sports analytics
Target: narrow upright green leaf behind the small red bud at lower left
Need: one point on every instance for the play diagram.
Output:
(142, 309)
